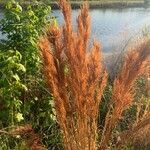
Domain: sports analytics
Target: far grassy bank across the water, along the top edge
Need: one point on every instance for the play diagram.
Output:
(93, 4)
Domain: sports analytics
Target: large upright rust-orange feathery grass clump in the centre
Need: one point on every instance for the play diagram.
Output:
(76, 78)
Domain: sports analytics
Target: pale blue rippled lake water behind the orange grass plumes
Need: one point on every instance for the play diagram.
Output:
(113, 27)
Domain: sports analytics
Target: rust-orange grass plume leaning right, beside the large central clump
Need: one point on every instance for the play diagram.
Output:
(123, 88)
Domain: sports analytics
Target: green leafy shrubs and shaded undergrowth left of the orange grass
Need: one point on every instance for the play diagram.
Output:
(23, 94)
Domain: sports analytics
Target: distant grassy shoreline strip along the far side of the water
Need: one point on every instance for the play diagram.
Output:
(96, 4)
